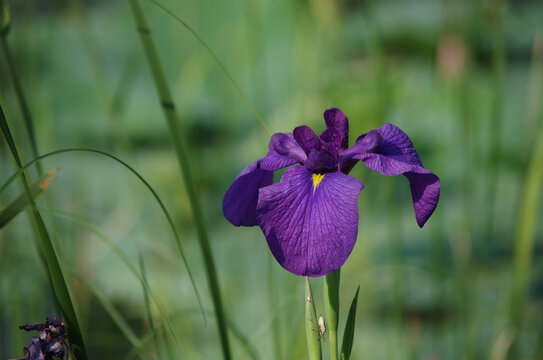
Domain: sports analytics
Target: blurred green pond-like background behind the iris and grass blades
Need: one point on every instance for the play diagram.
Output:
(464, 79)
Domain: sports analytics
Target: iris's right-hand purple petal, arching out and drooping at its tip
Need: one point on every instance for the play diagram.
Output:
(394, 156)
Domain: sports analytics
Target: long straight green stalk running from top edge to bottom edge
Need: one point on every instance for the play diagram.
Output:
(170, 114)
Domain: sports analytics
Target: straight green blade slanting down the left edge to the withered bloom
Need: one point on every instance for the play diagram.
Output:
(46, 246)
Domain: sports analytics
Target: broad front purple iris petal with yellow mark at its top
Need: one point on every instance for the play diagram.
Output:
(310, 227)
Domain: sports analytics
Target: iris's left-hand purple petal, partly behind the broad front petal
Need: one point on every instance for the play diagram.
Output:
(239, 202)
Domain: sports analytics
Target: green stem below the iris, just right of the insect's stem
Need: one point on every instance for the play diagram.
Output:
(331, 309)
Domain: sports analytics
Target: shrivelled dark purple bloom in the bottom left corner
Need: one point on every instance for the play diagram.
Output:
(50, 343)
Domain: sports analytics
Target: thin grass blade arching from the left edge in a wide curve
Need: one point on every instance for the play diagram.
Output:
(133, 171)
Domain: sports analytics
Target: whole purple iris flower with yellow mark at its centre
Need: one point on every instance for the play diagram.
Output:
(310, 218)
